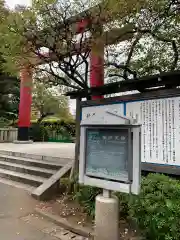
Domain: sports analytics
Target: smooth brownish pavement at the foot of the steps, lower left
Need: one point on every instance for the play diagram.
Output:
(15, 208)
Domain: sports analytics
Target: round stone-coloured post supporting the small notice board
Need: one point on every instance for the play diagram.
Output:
(106, 217)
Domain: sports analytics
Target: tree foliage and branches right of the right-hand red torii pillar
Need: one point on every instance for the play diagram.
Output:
(155, 47)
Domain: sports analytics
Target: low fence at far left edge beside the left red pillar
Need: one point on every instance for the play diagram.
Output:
(8, 134)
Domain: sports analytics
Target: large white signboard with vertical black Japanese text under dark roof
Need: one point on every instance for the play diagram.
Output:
(160, 119)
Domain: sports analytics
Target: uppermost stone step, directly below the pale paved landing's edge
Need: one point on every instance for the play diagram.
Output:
(31, 162)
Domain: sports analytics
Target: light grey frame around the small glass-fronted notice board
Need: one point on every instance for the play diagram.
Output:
(132, 186)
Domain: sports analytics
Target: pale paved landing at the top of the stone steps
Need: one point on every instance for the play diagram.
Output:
(45, 149)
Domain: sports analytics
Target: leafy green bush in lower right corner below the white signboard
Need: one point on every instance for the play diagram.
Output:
(157, 209)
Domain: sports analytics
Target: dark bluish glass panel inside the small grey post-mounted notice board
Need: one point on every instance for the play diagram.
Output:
(107, 153)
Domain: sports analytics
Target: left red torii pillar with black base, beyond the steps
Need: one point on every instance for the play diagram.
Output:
(25, 103)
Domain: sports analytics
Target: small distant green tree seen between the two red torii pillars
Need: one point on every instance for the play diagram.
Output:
(49, 102)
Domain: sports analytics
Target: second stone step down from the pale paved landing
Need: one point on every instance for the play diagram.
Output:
(37, 171)
